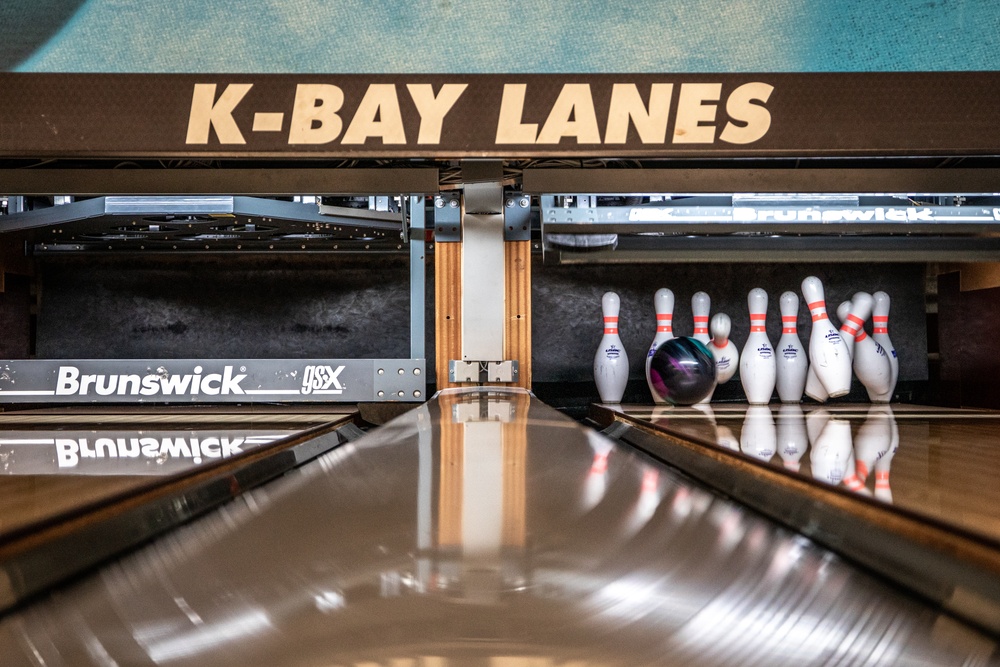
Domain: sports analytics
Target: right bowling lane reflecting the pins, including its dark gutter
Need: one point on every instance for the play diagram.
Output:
(931, 525)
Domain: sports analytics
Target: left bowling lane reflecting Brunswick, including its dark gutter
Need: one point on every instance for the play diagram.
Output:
(78, 486)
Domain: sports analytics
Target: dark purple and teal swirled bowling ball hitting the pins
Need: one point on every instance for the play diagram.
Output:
(682, 371)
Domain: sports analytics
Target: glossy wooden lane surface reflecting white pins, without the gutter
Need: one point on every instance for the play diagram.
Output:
(940, 463)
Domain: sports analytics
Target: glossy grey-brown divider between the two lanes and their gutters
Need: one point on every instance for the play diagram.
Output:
(484, 528)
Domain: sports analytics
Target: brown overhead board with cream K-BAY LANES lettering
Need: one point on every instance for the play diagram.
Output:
(537, 115)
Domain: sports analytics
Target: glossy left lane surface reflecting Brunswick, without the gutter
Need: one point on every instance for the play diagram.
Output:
(45, 471)
